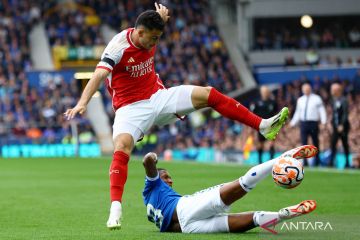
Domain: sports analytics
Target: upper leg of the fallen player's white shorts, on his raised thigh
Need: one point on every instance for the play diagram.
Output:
(201, 205)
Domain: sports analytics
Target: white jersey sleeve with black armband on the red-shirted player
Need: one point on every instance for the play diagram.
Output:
(114, 51)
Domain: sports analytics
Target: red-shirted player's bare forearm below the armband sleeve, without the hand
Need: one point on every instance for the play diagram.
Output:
(92, 86)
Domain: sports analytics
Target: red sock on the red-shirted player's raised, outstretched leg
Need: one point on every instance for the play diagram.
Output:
(230, 108)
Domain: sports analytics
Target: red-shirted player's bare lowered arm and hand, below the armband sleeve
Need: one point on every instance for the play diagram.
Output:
(91, 87)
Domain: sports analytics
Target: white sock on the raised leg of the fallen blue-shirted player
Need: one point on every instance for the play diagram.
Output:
(255, 175)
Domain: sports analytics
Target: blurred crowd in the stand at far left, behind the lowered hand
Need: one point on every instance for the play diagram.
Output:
(31, 114)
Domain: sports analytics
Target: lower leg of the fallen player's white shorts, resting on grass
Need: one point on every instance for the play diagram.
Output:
(216, 224)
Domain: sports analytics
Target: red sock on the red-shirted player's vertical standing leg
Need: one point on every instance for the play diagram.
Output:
(118, 175)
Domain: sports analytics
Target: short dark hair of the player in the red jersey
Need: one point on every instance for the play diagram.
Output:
(151, 20)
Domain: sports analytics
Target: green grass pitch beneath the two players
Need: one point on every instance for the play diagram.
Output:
(67, 198)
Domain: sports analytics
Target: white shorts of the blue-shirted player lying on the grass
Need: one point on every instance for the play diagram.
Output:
(203, 212)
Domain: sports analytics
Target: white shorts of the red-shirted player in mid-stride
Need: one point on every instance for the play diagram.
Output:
(137, 118)
